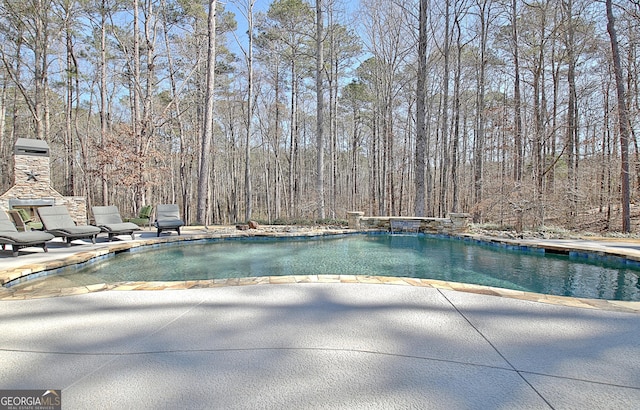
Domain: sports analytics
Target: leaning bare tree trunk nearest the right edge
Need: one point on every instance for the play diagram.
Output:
(623, 120)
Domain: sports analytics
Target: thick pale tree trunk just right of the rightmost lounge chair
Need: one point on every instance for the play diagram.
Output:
(207, 137)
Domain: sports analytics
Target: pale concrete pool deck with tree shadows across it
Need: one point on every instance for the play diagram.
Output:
(317, 342)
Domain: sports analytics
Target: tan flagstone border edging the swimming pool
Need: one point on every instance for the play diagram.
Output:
(112, 248)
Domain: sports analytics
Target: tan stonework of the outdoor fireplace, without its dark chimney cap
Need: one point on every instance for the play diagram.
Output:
(26, 189)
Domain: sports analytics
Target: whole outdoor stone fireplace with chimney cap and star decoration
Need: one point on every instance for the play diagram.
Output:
(32, 183)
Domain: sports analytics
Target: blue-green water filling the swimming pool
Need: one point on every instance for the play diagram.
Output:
(416, 256)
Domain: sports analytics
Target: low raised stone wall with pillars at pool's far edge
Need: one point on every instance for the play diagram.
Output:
(454, 224)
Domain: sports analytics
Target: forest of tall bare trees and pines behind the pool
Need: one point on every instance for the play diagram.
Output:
(522, 113)
